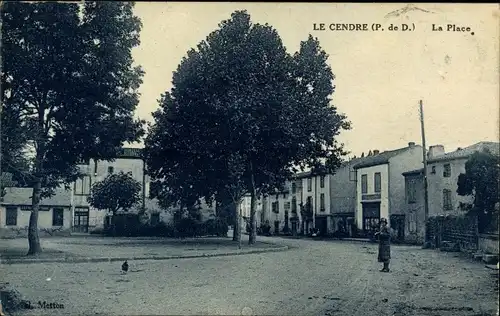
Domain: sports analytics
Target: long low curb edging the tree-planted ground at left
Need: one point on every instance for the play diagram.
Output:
(103, 259)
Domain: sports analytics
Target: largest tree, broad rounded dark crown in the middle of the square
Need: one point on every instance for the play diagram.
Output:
(243, 114)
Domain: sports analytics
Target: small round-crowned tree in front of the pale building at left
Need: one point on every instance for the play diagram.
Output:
(118, 191)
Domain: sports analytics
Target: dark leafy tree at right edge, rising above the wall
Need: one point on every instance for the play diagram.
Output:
(481, 181)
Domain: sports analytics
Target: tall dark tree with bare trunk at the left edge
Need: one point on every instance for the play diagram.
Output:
(67, 69)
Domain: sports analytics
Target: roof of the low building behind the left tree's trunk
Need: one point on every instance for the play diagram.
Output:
(22, 196)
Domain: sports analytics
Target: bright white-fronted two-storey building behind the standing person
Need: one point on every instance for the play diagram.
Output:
(381, 187)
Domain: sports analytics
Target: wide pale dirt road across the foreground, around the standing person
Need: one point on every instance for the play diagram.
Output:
(316, 278)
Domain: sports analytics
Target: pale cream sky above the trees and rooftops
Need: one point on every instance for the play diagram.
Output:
(380, 75)
